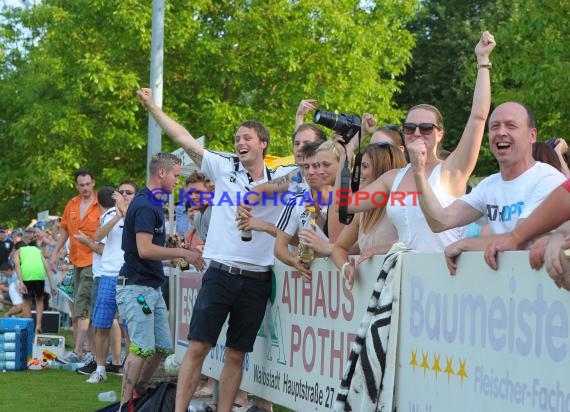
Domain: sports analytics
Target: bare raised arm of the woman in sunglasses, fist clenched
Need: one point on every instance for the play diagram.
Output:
(460, 164)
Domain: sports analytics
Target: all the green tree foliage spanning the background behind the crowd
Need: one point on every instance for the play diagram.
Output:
(69, 70)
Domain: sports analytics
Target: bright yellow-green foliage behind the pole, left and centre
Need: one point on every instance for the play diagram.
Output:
(70, 69)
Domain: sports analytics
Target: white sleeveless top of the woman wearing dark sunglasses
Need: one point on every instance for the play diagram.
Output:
(410, 221)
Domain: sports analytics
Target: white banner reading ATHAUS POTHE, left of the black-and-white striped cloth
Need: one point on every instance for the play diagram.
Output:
(304, 340)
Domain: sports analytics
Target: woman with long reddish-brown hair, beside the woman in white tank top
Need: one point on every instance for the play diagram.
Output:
(370, 231)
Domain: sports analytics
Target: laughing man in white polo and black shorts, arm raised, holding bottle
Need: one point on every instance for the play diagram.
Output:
(238, 280)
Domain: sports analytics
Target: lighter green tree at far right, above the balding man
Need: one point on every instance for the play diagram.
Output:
(535, 61)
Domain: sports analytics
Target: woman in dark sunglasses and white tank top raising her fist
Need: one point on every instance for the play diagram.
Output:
(448, 177)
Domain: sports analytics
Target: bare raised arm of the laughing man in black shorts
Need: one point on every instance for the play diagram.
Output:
(173, 129)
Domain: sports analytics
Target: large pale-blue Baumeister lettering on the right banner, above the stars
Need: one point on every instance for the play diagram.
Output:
(519, 325)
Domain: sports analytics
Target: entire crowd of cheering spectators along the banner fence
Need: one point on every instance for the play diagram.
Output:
(403, 159)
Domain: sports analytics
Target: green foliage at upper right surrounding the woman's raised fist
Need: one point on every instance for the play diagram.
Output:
(530, 62)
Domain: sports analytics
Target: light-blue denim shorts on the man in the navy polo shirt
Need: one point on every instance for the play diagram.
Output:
(149, 333)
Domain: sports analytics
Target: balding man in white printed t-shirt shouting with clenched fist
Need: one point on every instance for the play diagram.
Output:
(500, 200)
